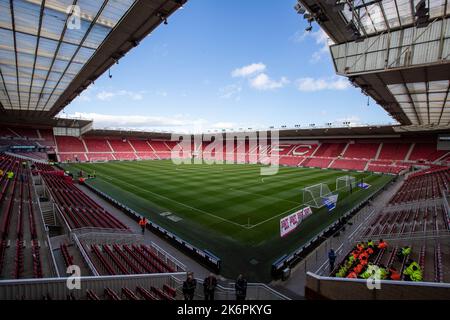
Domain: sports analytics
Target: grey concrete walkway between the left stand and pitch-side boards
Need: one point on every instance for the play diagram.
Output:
(149, 237)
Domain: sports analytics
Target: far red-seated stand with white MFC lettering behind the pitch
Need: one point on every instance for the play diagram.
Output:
(383, 157)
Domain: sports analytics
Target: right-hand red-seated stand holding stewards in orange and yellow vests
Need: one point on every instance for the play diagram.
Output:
(415, 209)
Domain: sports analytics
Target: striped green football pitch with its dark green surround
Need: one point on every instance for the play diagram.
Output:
(228, 209)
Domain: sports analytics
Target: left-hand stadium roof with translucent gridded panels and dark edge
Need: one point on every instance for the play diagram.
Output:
(51, 50)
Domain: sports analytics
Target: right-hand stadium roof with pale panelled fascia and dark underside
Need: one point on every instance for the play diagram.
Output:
(396, 51)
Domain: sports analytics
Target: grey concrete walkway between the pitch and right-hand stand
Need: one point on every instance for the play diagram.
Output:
(341, 242)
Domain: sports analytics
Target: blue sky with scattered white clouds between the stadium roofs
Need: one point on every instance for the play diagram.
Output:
(226, 64)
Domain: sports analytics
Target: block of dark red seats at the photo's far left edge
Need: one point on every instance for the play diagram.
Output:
(18, 224)
